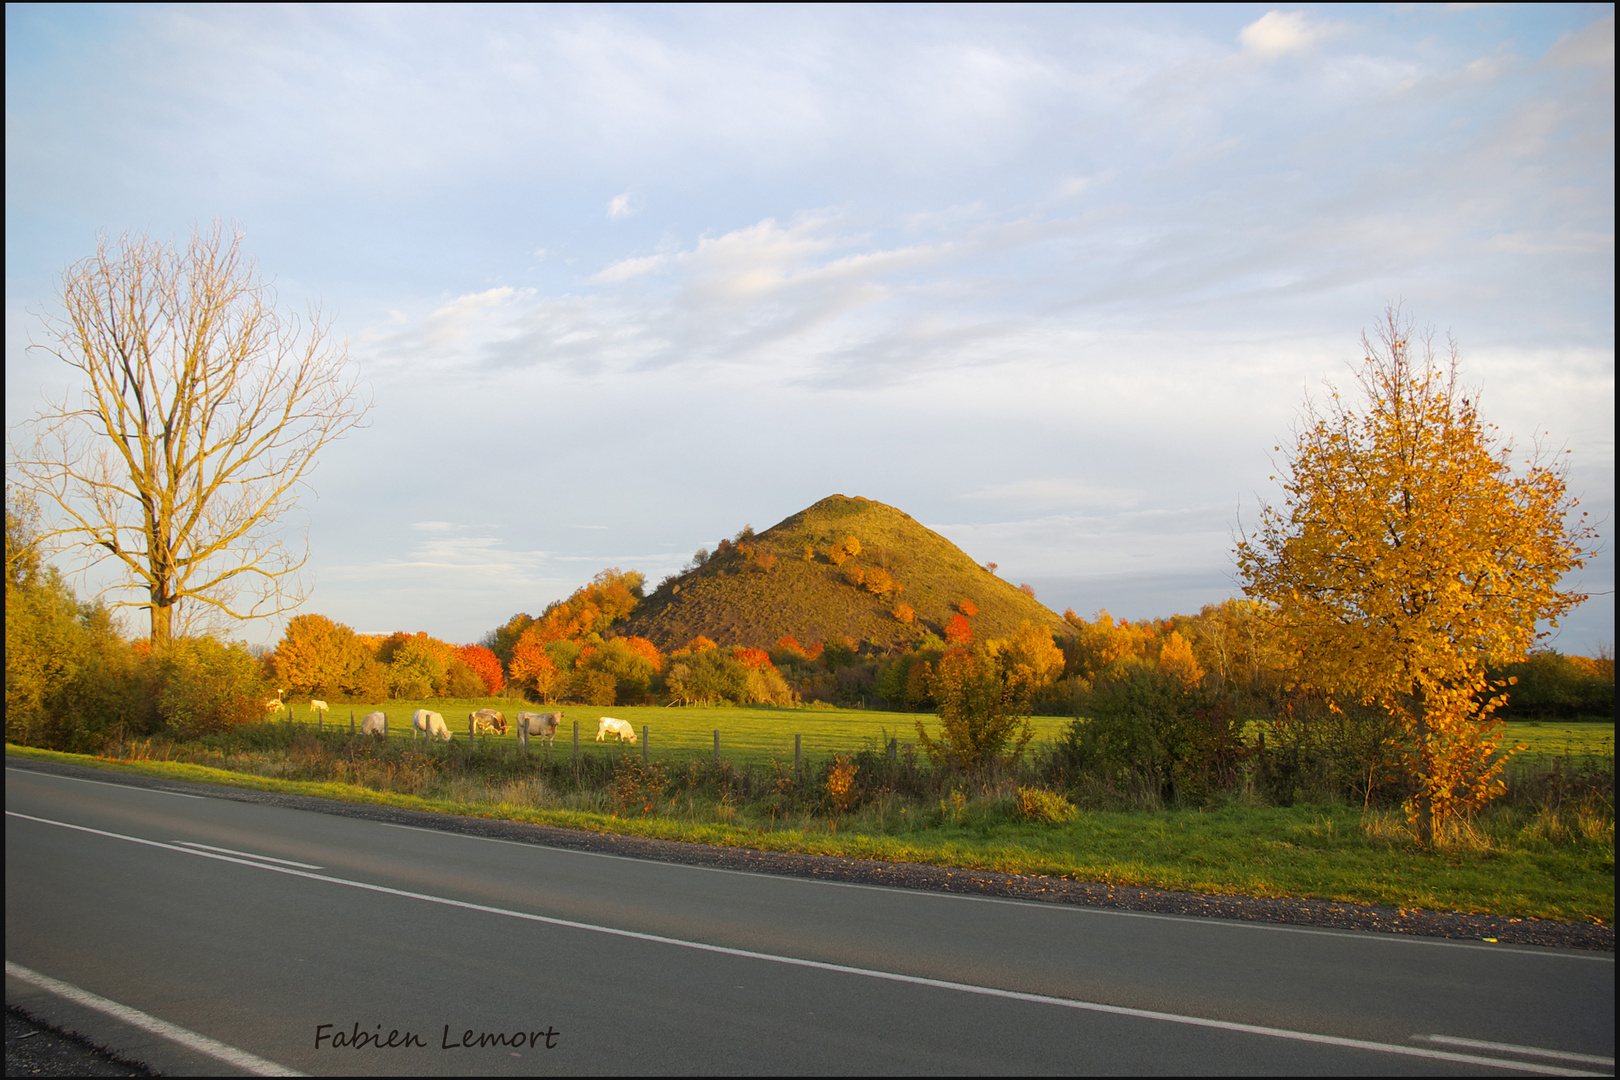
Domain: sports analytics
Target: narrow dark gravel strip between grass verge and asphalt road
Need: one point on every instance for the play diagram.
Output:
(1281, 911)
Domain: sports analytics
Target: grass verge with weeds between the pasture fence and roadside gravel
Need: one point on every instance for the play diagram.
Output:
(1516, 862)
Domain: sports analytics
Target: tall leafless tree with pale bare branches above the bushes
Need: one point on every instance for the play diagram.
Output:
(202, 415)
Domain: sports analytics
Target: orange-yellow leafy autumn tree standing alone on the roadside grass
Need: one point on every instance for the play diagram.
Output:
(1407, 555)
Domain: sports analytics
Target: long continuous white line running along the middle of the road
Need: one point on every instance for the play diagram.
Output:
(842, 969)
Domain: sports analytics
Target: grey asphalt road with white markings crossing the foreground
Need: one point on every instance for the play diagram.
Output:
(255, 925)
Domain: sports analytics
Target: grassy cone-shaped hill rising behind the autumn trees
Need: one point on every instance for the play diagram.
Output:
(736, 602)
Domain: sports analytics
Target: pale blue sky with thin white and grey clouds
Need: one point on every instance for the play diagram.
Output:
(1054, 281)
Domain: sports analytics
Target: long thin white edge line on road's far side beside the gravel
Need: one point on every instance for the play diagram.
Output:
(1076, 909)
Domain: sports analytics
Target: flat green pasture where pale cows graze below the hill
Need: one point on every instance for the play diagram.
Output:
(748, 734)
